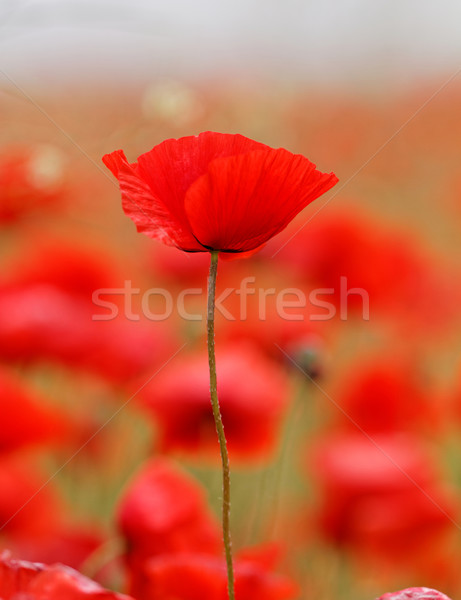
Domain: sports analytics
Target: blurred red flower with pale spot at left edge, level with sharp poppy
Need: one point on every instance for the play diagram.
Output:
(31, 178)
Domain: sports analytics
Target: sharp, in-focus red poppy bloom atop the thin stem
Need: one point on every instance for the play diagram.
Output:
(216, 191)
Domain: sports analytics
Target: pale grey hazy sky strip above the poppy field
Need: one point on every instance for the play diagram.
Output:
(328, 41)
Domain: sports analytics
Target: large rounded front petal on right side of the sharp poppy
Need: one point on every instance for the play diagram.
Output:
(243, 201)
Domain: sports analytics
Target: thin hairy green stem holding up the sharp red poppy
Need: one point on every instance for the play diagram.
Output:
(219, 424)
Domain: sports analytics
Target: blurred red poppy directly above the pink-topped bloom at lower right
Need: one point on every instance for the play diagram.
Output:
(386, 394)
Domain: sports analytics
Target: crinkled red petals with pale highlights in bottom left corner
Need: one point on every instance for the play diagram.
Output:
(21, 580)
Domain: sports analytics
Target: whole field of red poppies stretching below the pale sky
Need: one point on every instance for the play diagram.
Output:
(336, 330)
